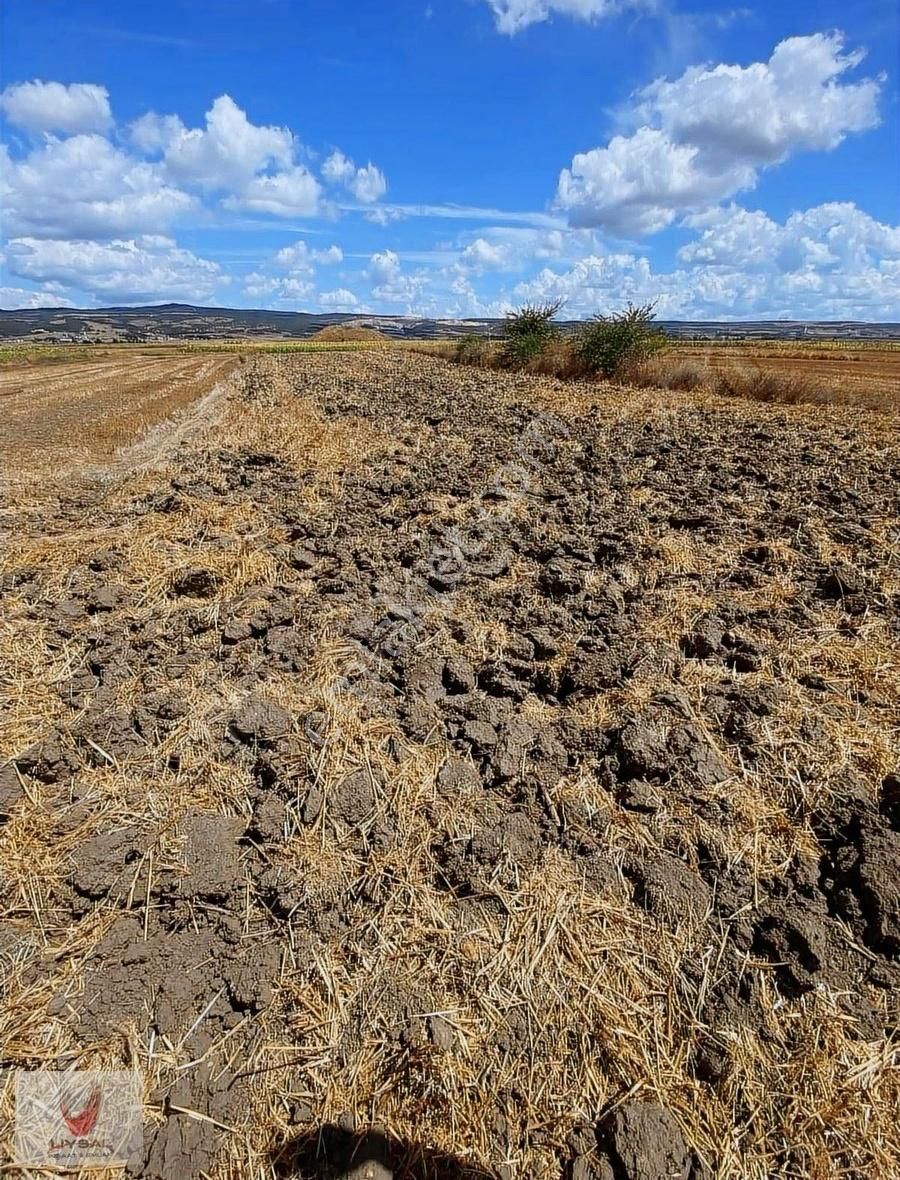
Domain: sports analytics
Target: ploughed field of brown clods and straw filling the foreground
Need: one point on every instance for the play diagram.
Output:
(439, 773)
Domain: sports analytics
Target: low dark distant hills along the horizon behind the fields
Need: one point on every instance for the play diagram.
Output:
(183, 322)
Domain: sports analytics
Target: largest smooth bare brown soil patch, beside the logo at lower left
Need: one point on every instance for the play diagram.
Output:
(176, 962)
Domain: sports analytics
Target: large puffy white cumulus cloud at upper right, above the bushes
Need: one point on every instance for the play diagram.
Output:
(705, 136)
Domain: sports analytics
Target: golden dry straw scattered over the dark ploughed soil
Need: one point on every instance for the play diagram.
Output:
(561, 1001)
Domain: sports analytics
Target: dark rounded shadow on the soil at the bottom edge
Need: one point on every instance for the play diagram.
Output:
(331, 1153)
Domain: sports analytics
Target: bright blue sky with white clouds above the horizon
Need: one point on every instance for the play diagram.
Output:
(454, 158)
